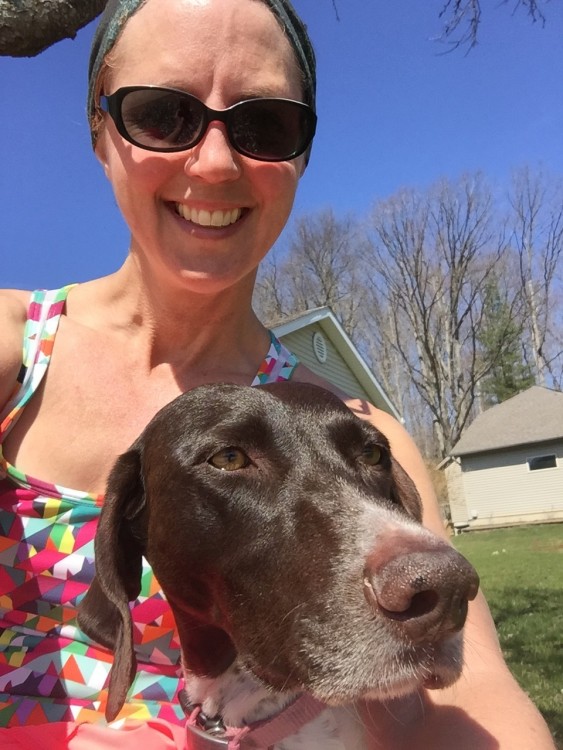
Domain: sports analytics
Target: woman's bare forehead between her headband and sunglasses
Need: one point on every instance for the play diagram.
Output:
(205, 46)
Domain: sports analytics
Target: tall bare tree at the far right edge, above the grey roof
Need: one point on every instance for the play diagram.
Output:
(537, 203)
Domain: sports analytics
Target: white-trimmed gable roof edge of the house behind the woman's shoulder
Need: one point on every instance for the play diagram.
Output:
(325, 318)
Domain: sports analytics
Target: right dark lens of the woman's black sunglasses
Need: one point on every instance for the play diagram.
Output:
(271, 129)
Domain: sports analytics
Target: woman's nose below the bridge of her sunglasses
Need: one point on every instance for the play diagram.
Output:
(213, 159)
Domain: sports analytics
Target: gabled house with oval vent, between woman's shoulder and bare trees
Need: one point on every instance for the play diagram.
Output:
(320, 342)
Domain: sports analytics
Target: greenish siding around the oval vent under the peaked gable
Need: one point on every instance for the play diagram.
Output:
(334, 370)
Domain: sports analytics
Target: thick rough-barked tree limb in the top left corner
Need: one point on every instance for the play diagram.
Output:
(27, 27)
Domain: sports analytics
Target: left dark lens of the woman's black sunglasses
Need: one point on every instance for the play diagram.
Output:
(161, 119)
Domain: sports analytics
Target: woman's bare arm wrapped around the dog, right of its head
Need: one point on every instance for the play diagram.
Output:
(486, 709)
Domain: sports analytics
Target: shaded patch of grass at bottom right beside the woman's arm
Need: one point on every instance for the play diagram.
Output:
(530, 625)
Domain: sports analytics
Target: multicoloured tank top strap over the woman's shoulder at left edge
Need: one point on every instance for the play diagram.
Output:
(43, 317)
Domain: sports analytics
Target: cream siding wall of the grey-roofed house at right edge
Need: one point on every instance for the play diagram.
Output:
(499, 489)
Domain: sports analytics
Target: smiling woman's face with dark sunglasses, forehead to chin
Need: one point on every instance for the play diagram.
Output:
(186, 168)
